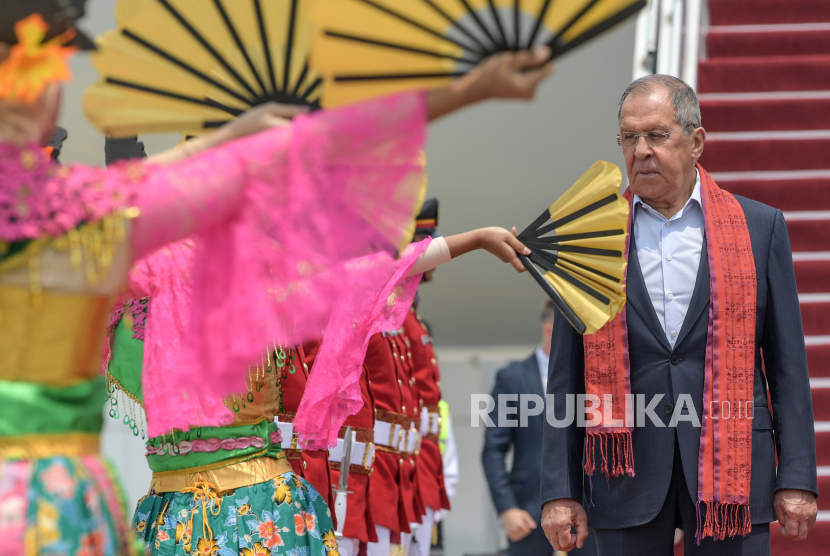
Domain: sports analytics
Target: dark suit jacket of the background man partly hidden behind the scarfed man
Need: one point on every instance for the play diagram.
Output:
(520, 487)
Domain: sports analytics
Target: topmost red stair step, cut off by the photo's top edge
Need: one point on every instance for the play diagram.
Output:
(760, 12)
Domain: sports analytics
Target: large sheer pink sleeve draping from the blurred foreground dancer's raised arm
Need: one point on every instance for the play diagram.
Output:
(273, 219)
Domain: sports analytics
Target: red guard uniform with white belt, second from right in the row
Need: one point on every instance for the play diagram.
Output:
(392, 486)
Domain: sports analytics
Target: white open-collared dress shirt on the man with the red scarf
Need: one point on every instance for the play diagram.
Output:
(669, 255)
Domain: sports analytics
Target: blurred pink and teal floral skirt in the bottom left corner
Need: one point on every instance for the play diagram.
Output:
(62, 505)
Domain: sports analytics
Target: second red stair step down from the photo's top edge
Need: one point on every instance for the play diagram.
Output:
(768, 40)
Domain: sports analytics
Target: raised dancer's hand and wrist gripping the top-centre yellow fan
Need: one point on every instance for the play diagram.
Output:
(514, 75)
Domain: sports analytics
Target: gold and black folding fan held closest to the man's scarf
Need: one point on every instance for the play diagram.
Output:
(579, 245)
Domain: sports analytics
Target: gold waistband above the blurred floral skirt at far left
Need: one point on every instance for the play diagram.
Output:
(39, 446)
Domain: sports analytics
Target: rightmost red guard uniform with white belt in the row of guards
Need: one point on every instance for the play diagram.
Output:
(430, 468)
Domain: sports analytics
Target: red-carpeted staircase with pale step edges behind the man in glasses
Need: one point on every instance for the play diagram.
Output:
(768, 70)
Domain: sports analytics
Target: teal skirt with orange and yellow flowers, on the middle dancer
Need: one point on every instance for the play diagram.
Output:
(284, 516)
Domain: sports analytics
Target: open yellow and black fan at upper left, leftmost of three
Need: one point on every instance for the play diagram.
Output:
(190, 66)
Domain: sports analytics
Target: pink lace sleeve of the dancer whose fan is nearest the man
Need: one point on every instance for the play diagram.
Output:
(379, 294)
